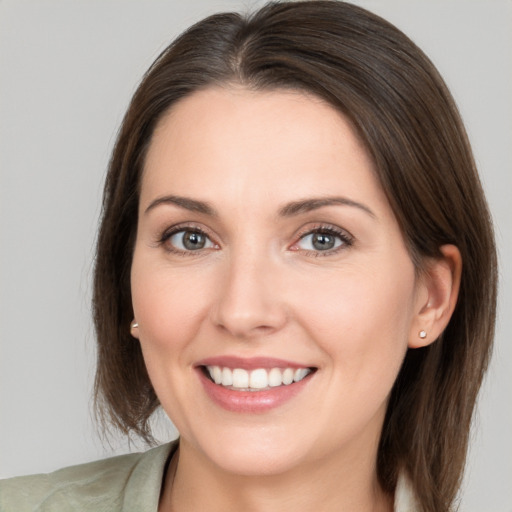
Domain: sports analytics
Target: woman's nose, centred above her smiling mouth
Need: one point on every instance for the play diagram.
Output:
(248, 302)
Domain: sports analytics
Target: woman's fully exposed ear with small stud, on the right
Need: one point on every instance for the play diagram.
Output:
(437, 296)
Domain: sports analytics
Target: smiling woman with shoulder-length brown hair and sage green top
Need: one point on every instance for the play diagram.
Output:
(296, 261)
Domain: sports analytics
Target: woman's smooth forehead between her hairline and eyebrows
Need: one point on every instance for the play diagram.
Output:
(281, 144)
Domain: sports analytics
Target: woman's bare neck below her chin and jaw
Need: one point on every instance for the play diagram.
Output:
(329, 484)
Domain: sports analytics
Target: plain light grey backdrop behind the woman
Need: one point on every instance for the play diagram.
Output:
(67, 71)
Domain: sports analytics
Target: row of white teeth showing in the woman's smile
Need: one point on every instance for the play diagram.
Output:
(256, 379)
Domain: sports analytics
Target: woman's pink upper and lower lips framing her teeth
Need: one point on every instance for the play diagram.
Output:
(252, 402)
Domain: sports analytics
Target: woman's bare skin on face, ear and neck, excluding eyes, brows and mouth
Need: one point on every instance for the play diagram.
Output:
(260, 288)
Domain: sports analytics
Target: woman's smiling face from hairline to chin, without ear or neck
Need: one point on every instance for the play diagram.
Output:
(266, 251)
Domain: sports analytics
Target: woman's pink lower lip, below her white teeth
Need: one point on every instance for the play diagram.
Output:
(251, 401)
